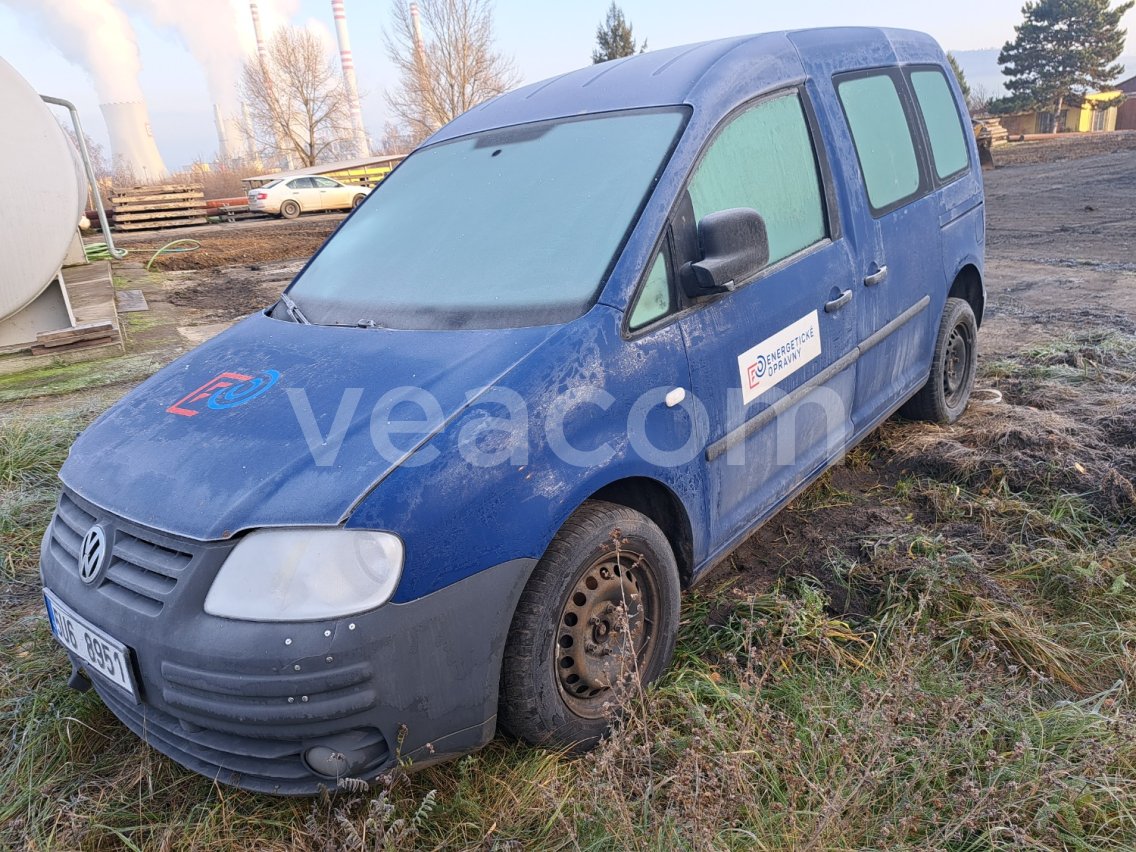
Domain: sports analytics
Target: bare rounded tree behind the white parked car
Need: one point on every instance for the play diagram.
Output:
(298, 108)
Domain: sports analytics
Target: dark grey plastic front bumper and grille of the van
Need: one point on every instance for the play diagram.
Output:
(243, 703)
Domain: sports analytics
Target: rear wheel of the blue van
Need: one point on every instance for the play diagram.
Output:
(954, 369)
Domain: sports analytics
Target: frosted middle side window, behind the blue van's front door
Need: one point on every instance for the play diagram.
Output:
(882, 137)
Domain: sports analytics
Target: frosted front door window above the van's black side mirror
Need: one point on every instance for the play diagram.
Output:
(764, 160)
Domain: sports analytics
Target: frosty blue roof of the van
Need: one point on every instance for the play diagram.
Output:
(713, 77)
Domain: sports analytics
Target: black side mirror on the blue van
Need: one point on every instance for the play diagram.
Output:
(736, 247)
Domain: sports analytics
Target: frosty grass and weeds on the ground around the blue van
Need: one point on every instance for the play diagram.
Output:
(933, 648)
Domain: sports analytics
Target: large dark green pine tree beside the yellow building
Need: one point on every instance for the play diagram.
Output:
(1063, 49)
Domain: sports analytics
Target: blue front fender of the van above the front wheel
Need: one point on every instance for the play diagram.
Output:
(458, 516)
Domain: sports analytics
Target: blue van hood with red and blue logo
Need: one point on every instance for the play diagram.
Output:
(270, 424)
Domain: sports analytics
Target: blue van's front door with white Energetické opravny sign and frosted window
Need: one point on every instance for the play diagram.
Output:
(773, 362)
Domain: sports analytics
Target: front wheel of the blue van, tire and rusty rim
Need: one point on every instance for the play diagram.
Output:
(607, 561)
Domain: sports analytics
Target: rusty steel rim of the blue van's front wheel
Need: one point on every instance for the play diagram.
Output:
(595, 637)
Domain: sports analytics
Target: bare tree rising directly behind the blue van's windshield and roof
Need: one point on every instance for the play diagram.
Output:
(452, 69)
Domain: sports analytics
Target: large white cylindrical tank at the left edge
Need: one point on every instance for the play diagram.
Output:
(44, 191)
